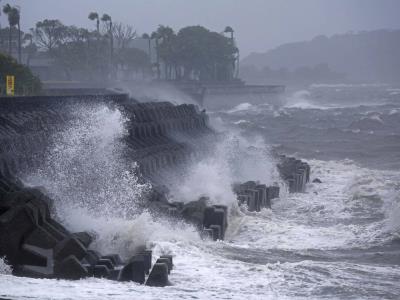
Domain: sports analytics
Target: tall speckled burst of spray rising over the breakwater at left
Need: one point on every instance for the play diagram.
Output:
(86, 167)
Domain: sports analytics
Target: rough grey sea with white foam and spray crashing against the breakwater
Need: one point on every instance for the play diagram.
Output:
(338, 240)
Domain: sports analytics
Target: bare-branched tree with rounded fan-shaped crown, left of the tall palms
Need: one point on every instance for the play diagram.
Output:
(50, 34)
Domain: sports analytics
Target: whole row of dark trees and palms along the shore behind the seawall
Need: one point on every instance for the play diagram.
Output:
(109, 51)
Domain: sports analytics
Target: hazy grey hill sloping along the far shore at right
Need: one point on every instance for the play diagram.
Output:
(372, 56)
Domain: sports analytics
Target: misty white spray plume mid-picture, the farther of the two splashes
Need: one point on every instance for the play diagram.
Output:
(232, 159)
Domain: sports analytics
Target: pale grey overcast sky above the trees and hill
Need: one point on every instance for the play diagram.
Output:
(259, 24)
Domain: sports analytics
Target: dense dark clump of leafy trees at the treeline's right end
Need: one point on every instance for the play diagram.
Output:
(195, 53)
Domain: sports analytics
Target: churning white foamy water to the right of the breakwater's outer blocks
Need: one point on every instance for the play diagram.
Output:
(350, 209)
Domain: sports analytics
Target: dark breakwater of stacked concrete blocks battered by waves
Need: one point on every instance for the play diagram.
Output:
(162, 139)
